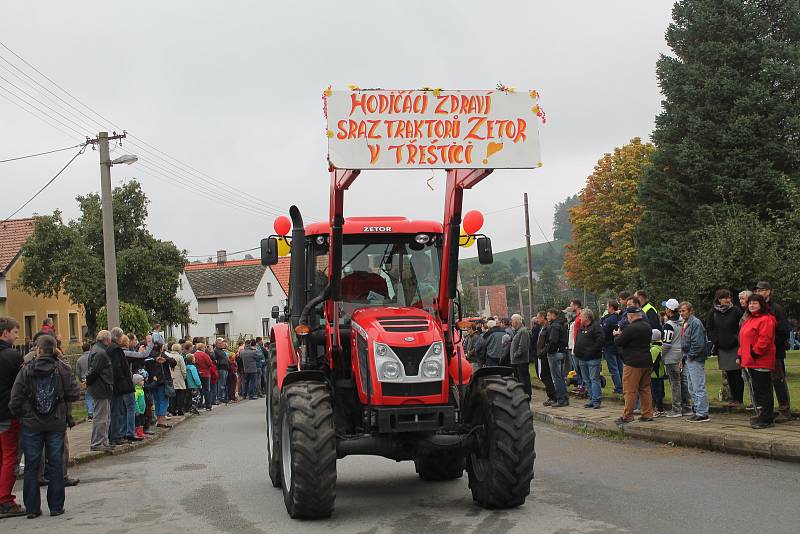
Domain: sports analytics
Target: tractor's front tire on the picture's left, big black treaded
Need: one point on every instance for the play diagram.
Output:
(308, 450)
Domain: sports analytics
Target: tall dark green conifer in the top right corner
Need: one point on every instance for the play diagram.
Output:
(729, 131)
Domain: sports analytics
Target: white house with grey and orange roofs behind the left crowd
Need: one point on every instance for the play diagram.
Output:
(232, 298)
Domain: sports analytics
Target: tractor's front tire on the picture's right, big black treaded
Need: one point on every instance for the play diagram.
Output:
(500, 469)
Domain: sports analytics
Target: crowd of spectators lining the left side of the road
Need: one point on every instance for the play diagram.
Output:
(130, 388)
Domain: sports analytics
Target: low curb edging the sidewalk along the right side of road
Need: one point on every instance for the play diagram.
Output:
(712, 441)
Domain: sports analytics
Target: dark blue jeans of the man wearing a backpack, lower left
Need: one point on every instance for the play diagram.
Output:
(32, 444)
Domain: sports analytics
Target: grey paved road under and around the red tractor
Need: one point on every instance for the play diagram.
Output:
(208, 476)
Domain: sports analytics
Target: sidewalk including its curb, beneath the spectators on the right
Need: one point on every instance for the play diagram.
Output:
(730, 433)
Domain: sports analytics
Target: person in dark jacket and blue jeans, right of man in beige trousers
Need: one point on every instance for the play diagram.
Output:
(123, 401)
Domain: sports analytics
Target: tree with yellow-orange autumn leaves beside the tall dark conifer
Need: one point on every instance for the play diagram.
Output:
(602, 254)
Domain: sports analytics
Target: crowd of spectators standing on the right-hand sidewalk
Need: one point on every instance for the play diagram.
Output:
(644, 349)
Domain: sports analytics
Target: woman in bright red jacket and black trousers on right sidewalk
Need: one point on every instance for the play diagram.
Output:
(757, 356)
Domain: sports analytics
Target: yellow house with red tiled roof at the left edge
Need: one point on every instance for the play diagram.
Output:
(68, 318)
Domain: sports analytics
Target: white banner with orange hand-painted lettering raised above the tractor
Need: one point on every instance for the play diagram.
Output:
(433, 129)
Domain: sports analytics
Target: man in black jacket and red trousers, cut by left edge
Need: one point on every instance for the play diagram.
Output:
(10, 363)
